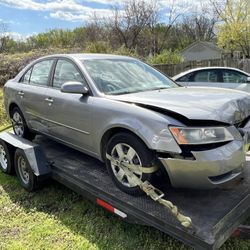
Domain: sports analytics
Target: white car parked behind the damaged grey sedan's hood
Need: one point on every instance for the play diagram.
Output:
(222, 77)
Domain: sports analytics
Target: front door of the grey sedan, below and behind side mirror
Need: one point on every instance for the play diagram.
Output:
(69, 115)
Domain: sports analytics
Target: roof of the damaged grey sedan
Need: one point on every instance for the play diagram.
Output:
(85, 56)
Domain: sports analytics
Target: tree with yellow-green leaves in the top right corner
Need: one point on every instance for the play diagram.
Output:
(234, 32)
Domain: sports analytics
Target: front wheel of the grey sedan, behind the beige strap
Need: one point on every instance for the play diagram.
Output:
(142, 156)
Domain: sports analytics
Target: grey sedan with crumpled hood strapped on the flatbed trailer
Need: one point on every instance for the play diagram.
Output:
(107, 105)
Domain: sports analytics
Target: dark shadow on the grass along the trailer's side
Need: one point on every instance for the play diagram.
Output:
(86, 219)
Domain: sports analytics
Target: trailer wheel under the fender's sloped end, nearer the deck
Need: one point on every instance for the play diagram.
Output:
(24, 172)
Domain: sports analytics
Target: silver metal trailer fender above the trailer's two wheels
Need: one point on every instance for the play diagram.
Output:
(34, 153)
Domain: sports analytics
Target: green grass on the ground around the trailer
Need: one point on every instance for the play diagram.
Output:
(57, 218)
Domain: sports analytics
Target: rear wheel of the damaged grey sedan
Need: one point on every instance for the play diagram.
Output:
(19, 124)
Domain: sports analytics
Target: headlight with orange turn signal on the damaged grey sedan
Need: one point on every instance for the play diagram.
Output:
(201, 135)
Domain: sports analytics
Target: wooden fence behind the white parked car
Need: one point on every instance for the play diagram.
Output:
(174, 69)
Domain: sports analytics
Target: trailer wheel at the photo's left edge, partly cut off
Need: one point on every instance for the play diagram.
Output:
(6, 158)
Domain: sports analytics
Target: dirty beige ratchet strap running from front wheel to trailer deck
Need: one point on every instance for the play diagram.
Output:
(154, 193)
